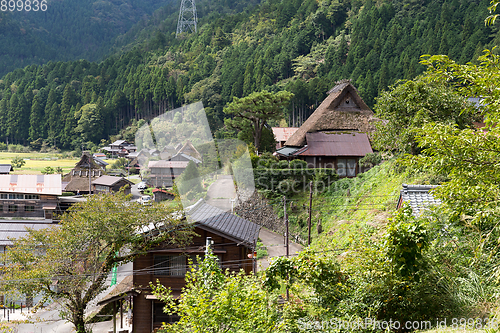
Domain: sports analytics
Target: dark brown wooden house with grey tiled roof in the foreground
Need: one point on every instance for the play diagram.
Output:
(233, 238)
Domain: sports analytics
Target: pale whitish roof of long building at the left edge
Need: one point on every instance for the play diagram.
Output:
(37, 184)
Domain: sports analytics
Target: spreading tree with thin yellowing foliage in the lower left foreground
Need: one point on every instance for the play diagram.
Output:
(82, 249)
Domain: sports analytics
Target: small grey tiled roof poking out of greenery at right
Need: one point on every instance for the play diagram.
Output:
(419, 197)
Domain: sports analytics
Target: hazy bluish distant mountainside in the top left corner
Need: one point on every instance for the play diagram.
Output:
(67, 29)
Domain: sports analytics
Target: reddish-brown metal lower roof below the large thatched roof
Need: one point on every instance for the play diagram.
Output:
(337, 144)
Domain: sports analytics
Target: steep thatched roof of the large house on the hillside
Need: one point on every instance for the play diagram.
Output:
(342, 109)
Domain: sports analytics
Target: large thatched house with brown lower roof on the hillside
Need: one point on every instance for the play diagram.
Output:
(336, 135)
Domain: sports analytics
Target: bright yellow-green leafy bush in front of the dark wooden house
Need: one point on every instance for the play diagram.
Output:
(216, 301)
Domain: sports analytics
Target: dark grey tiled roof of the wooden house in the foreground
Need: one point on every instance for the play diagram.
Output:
(224, 223)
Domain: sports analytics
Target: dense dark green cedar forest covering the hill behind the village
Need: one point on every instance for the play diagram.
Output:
(302, 46)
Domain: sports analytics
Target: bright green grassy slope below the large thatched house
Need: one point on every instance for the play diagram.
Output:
(351, 205)
